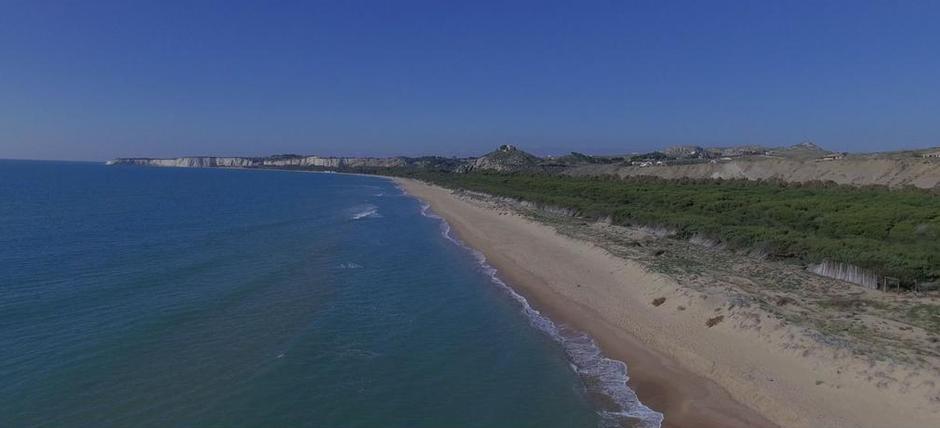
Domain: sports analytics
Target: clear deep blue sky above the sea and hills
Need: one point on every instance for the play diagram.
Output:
(100, 79)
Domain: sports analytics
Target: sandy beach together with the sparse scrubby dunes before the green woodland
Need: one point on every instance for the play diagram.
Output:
(704, 346)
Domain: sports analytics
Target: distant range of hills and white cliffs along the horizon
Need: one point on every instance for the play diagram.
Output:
(802, 163)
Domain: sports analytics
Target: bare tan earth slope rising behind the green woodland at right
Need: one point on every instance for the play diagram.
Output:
(855, 170)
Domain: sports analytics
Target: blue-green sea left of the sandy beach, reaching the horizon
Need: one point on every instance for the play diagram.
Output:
(154, 297)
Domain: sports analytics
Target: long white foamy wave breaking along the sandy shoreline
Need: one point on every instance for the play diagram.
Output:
(600, 374)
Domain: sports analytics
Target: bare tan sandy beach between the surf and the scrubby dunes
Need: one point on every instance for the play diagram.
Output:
(690, 356)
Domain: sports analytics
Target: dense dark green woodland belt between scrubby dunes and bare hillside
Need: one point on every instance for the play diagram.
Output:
(891, 232)
